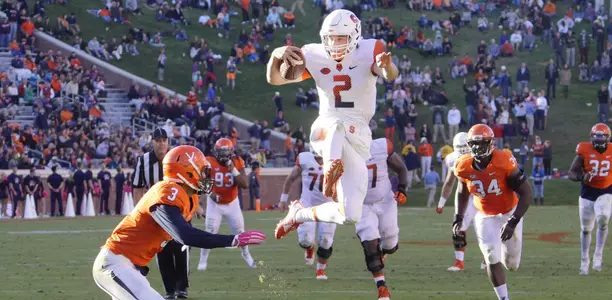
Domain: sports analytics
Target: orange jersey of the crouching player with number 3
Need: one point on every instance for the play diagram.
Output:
(138, 237)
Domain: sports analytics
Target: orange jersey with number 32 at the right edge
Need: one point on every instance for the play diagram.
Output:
(596, 163)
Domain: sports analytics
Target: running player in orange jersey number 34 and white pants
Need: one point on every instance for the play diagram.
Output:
(494, 179)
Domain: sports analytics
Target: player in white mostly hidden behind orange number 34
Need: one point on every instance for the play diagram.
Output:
(460, 148)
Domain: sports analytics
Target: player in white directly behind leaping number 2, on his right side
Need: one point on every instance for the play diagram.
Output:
(377, 229)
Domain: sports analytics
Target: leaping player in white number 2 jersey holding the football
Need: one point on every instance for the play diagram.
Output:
(345, 68)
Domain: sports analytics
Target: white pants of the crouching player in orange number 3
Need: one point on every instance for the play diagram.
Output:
(117, 276)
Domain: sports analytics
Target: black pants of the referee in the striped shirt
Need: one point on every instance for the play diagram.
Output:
(174, 267)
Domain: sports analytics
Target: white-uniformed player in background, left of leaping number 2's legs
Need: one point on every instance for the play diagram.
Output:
(309, 170)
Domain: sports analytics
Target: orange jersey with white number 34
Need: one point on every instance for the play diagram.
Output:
(492, 195)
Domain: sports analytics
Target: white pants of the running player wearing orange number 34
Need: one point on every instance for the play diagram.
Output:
(488, 232)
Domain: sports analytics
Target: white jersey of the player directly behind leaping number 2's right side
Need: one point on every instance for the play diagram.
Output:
(379, 185)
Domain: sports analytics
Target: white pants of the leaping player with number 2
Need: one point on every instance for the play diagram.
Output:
(349, 141)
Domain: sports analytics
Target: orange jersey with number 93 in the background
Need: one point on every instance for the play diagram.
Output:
(225, 185)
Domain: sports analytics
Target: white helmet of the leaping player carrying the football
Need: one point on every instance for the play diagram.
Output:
(340, 22)
